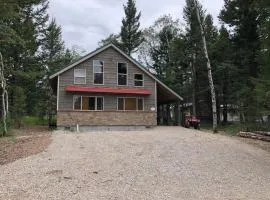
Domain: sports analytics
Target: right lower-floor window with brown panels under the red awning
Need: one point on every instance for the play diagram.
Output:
(129, 103)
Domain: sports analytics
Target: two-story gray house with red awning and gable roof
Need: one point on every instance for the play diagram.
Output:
(108, 88)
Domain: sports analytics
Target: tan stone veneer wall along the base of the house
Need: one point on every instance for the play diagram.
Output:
(106, 118)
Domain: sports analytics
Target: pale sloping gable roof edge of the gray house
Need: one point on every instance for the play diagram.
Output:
(93, 53)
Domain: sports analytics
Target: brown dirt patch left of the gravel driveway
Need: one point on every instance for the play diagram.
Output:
(24, 142)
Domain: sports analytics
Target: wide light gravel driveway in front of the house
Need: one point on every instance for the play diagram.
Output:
(161, 163)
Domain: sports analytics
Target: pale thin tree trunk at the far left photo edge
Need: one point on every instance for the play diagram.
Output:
(4, 95)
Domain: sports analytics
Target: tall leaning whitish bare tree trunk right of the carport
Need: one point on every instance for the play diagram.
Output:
(209, 70)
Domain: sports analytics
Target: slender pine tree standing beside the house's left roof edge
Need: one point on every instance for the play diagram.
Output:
(54, 59)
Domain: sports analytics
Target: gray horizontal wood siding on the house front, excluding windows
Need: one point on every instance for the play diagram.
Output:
(110, 57)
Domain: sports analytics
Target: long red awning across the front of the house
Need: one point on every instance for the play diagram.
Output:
(73, 88)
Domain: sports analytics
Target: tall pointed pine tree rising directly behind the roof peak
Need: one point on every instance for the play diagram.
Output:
(131, 35)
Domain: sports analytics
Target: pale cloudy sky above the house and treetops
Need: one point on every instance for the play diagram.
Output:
(85, 22)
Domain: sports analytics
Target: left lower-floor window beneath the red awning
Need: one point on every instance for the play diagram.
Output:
(87, 103)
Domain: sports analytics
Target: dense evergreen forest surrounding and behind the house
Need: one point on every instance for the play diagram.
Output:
(32, 49)
